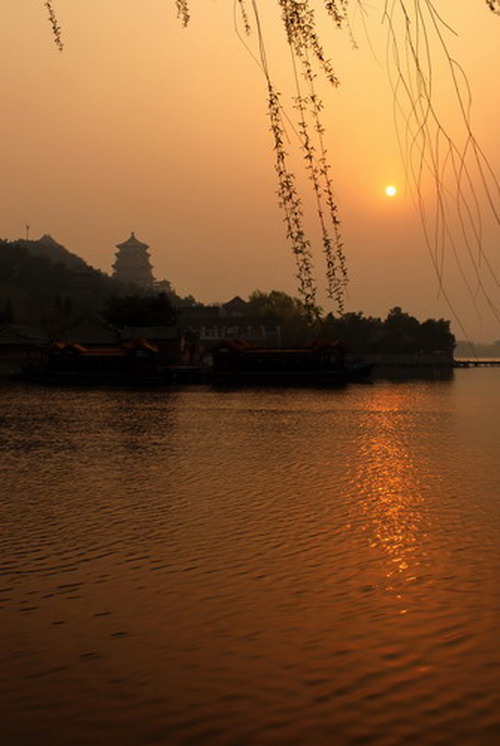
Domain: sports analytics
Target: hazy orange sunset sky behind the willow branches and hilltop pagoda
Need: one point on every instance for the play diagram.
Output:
(143, 125)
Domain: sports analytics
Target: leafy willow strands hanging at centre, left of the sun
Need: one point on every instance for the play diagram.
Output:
(299, 24)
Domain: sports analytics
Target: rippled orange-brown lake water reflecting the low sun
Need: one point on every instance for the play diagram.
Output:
(280, 567)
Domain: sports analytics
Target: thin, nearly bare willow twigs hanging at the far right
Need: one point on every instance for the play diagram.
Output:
(446, 149)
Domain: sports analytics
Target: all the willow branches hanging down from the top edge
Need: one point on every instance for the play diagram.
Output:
(458, 170)
